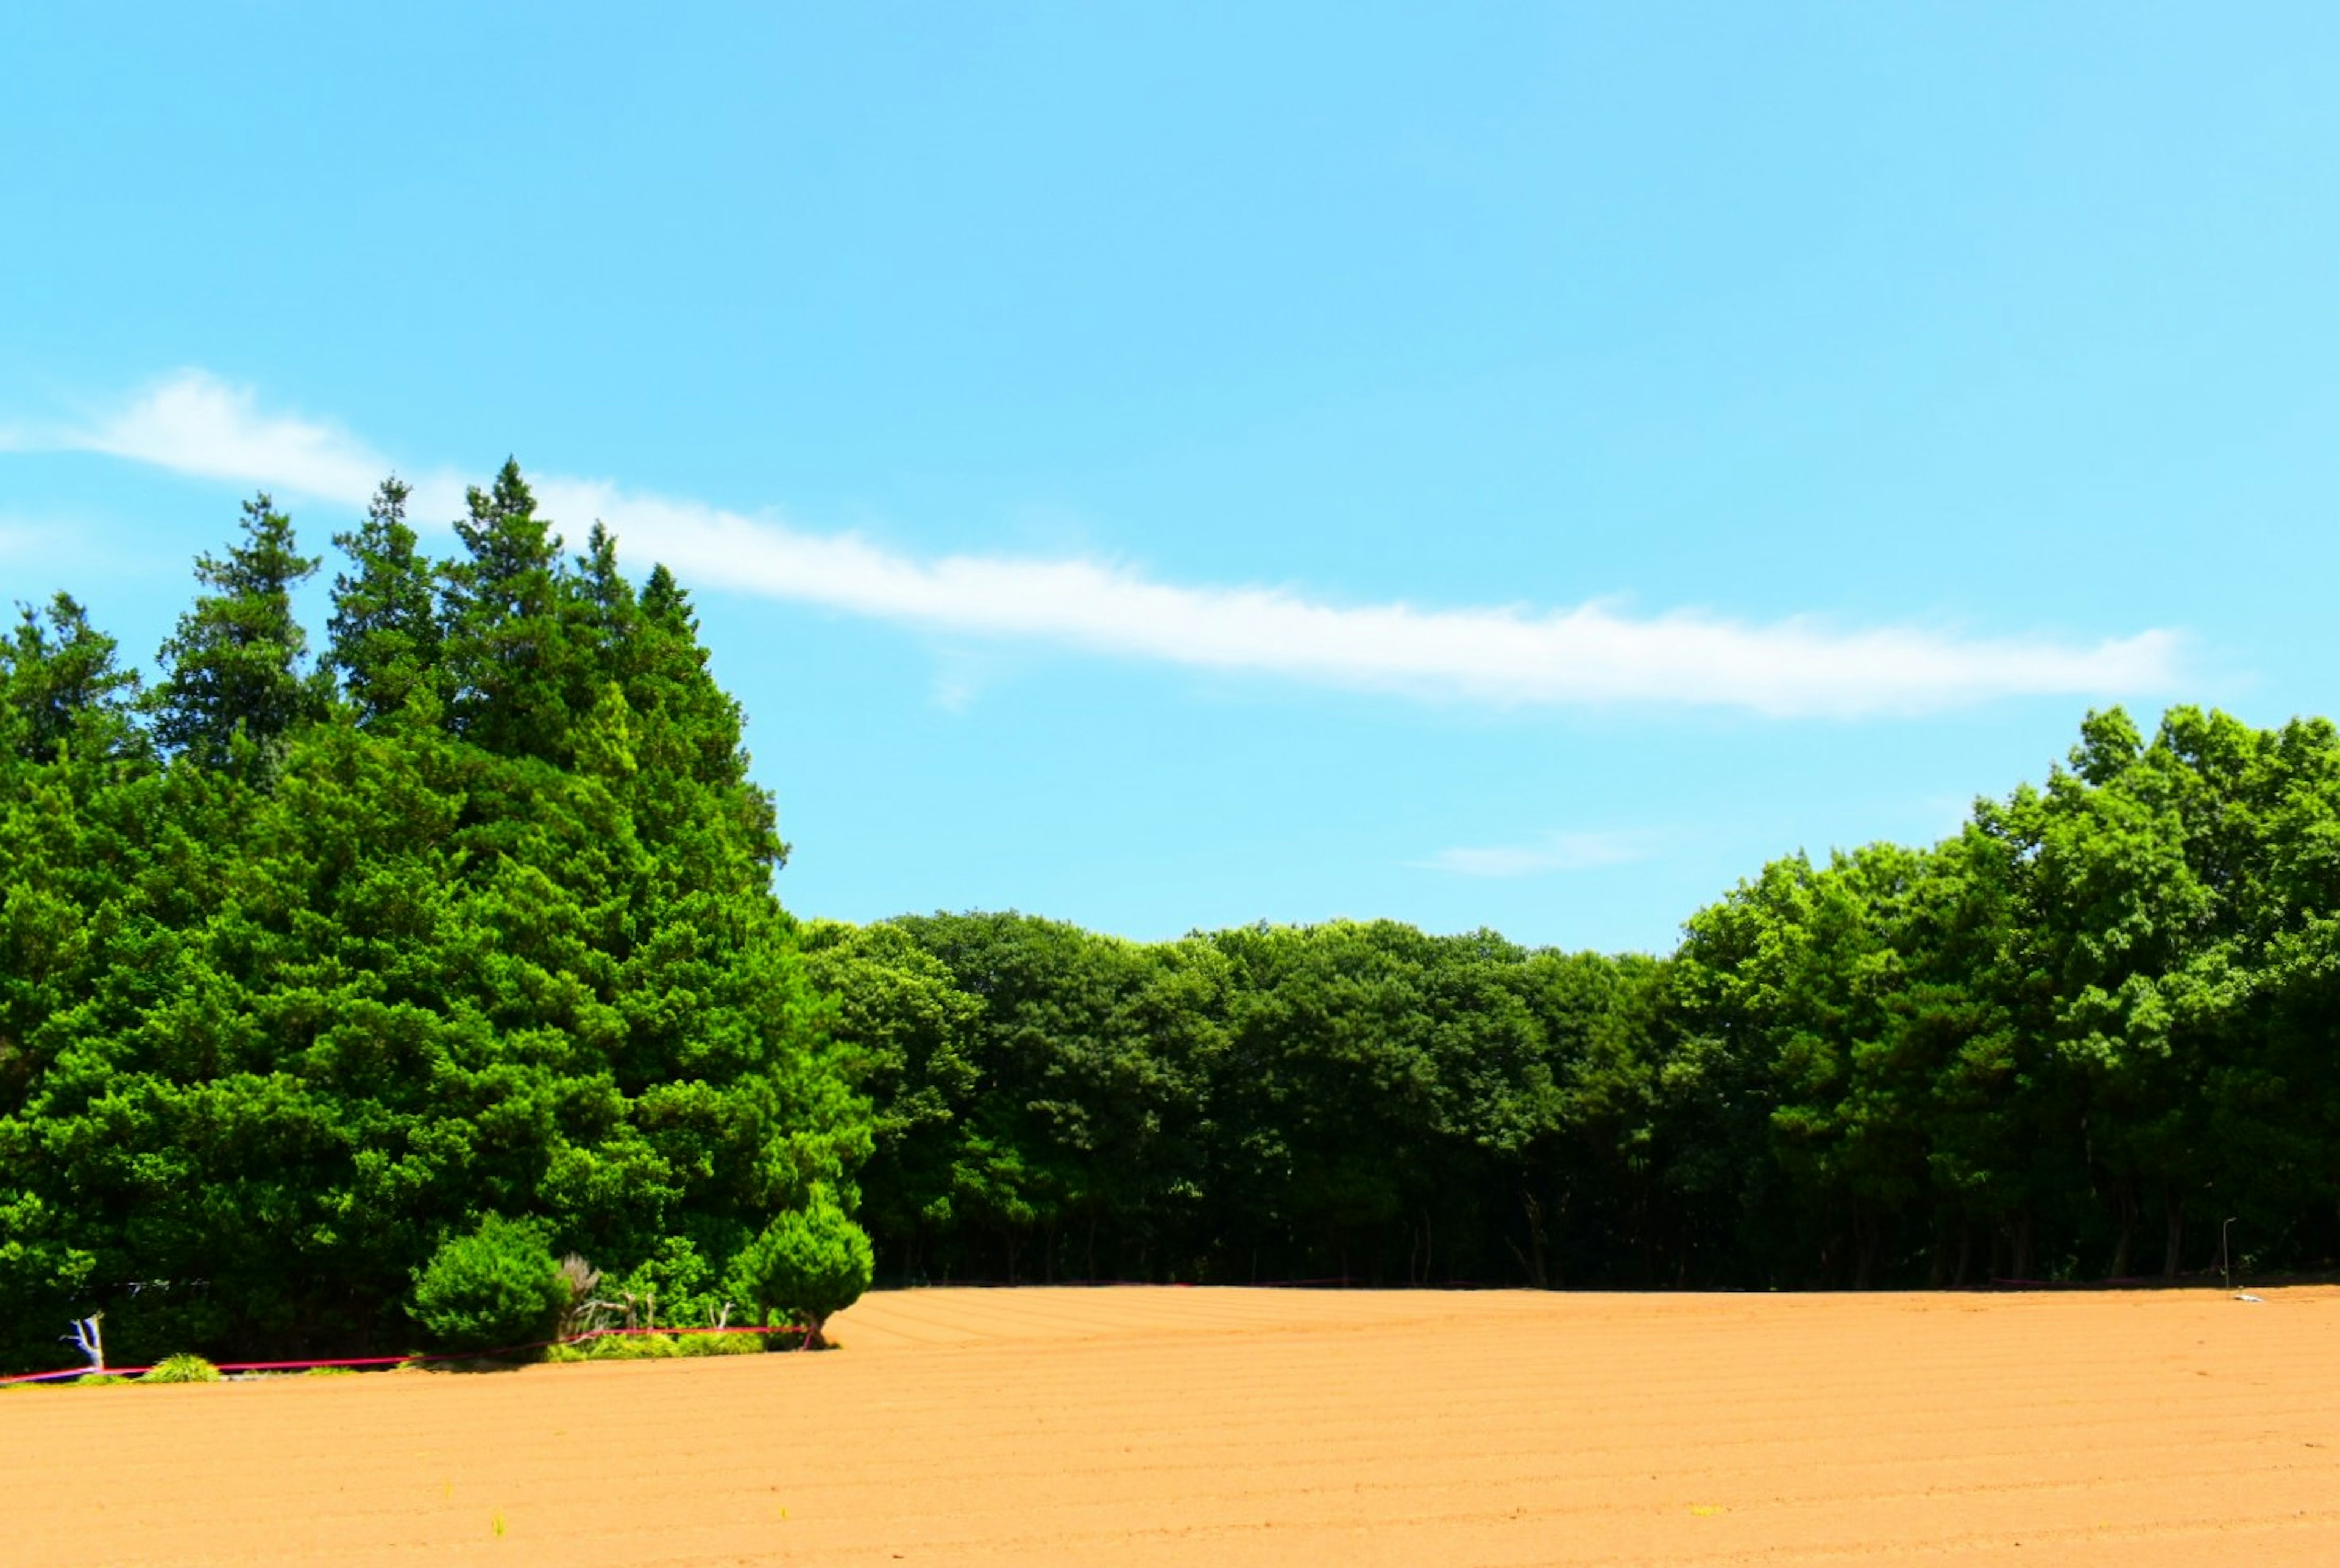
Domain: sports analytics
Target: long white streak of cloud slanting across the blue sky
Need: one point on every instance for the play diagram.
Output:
(1588, 654)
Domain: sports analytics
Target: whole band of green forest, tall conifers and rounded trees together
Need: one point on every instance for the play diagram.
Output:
(324, 972)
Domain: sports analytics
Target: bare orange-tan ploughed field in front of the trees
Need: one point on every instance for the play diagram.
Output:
(1246, 1426)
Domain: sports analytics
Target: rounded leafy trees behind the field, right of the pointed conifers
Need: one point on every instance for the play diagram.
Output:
(2067, 1043)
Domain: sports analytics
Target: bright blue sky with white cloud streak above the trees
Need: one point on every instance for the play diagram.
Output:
(1171, 467)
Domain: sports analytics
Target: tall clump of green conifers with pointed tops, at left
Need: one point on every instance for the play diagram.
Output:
(303, 970)
